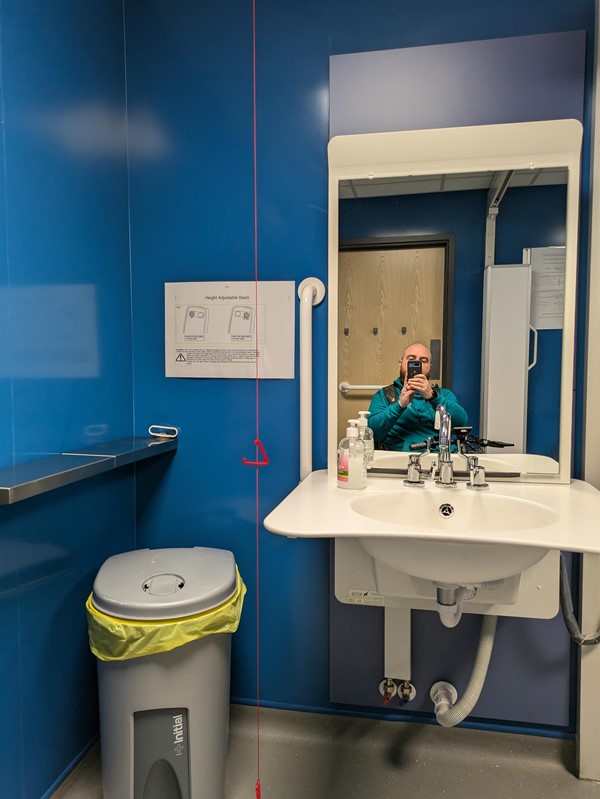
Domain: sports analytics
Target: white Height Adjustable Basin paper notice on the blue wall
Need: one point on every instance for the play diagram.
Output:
(220, 329)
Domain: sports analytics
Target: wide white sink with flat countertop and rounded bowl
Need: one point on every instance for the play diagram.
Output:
(492, 534)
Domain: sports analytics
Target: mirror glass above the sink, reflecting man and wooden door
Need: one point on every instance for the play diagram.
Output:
(412, 275)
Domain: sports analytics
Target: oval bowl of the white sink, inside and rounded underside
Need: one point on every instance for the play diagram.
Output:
(480, 513)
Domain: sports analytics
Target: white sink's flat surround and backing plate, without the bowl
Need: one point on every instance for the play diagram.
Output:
(317, 508)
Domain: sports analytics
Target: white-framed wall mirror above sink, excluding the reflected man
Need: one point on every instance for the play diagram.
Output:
(464, 239)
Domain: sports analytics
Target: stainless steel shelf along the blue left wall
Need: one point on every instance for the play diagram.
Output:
(38, 476)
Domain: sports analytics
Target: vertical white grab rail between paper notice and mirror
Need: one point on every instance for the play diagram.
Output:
(311, 292)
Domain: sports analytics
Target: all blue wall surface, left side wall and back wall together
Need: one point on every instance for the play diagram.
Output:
(65, 244)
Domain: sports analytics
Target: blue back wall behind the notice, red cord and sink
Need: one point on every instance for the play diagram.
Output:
(189, 76)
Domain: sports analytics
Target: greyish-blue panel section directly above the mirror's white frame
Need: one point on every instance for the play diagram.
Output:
(466, 83)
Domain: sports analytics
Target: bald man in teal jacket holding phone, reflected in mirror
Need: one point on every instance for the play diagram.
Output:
(403, 413)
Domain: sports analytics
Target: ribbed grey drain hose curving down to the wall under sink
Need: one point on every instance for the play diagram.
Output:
(448, 711)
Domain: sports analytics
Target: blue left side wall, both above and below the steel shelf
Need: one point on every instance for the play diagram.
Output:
(65, 365)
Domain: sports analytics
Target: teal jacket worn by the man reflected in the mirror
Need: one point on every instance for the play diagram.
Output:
(396, 428)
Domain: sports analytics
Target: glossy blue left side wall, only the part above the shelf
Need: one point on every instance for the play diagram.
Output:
(67, 233)
